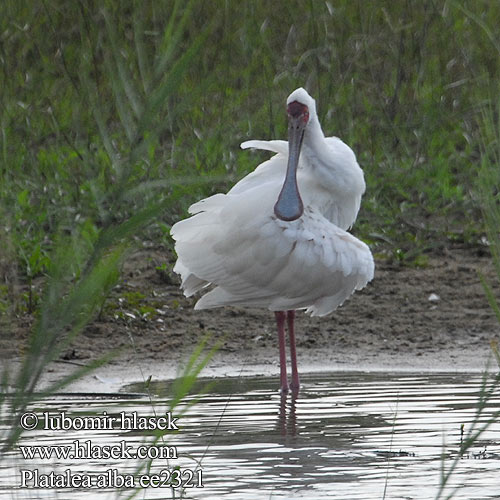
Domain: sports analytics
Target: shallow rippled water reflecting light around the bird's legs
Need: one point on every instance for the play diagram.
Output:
(347, 436)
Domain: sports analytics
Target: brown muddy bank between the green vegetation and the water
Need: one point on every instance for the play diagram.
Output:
(428, 318)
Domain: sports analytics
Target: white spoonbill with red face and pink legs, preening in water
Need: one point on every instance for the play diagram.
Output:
(278, 238)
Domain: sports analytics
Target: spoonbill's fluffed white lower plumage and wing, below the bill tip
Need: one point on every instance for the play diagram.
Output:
(259, 260)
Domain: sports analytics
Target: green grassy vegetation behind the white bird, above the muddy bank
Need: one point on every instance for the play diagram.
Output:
(120, 114)
